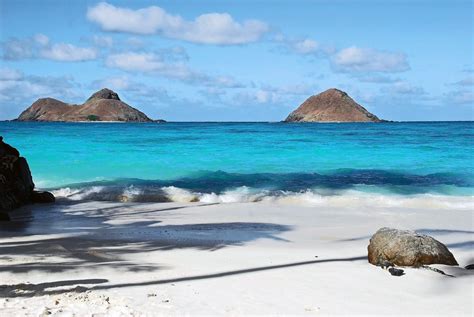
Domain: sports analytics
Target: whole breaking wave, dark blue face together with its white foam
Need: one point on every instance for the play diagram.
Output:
(220, 187)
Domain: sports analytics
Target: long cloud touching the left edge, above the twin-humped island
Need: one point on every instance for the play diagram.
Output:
(39, 46)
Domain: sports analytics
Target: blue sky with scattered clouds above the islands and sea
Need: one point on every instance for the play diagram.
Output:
(241, 60)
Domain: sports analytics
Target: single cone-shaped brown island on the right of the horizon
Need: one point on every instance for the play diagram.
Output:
(332, 105)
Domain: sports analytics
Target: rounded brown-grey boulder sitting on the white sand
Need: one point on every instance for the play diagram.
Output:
(407, 248)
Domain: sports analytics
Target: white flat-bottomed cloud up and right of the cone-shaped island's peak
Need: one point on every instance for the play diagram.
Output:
(355, 59)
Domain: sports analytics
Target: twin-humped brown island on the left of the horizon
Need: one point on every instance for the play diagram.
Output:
(104, 105)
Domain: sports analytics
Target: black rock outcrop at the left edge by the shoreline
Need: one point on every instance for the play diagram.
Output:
(16, 184)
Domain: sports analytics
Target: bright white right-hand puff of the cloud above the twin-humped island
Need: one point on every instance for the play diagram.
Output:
(68, 53)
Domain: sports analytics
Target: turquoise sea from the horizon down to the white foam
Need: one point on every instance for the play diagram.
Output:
(388, 158)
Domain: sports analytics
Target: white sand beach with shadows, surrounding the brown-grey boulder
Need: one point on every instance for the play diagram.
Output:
(242, 258)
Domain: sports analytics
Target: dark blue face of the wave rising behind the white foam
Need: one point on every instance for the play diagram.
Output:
(340, 179)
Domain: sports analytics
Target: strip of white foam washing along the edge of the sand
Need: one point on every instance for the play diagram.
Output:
(349, 198)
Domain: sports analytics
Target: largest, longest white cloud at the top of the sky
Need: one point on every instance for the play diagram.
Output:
(210, 28)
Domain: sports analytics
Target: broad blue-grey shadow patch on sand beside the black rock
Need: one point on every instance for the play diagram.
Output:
(66, 236)
